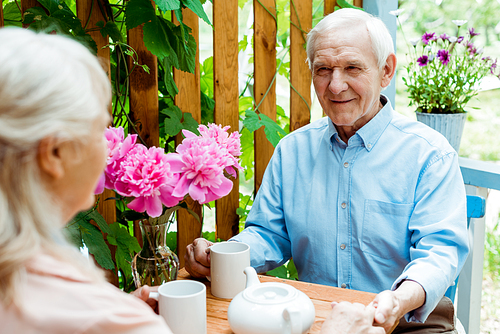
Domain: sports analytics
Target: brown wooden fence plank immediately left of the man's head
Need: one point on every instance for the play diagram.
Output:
(300, 74)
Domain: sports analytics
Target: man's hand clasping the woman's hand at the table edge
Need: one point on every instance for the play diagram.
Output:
(393, 305)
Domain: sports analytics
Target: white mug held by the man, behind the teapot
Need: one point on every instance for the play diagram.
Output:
(227, 262)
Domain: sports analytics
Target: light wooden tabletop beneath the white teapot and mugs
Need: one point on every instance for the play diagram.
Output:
(321, 296)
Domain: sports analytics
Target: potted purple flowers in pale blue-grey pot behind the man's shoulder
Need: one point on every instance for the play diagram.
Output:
(442, 75)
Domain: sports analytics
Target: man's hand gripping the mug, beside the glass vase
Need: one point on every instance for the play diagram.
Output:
(197, 258)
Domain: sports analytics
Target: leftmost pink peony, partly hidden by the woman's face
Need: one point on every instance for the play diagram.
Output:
(117, 151)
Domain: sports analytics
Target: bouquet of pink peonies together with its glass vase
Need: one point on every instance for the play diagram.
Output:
(155, 184)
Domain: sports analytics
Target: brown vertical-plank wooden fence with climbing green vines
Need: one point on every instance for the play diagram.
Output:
(144, 89)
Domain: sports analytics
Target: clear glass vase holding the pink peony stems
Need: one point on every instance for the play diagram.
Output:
(155, 263)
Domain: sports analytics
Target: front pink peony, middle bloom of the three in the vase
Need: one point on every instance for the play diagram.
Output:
(146, 175)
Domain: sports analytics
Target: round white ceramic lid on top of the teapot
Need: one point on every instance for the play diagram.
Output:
(270, 293)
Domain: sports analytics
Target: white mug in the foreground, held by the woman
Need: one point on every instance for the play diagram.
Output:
(183, 305)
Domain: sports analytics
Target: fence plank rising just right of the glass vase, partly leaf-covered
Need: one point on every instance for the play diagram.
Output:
(188, 100)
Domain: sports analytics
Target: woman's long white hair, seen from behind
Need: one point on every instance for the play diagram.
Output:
(49, 86)
